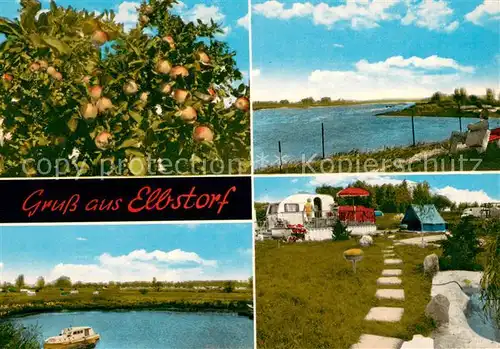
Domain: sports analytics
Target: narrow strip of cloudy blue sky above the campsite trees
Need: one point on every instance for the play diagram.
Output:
(457, 187)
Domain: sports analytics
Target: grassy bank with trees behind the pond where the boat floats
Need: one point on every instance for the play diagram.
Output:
(50, 300)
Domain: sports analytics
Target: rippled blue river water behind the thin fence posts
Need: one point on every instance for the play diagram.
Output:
(346, 128)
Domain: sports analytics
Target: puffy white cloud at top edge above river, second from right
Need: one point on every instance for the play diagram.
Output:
(431, 14)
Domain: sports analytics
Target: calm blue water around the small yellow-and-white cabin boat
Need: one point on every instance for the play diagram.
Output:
(153, 329)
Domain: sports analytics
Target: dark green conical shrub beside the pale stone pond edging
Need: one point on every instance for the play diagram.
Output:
(461, 247)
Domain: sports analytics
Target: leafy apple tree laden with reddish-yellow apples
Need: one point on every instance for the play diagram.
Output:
(76, 86)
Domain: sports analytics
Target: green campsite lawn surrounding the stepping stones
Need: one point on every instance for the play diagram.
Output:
(308, 296)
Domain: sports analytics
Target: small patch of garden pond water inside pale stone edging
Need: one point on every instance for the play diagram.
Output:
(482, 323)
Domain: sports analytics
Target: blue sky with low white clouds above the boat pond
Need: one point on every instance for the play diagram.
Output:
(102, 253)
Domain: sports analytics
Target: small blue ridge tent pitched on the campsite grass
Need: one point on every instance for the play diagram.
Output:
(424, 218)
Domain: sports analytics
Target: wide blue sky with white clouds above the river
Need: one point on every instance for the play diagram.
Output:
(368, 49)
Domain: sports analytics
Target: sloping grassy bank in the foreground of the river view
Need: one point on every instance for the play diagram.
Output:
(429, 157)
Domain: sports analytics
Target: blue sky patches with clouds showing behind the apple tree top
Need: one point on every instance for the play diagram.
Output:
(229, 13)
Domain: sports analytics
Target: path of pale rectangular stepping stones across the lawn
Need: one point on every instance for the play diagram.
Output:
(388, 314)
